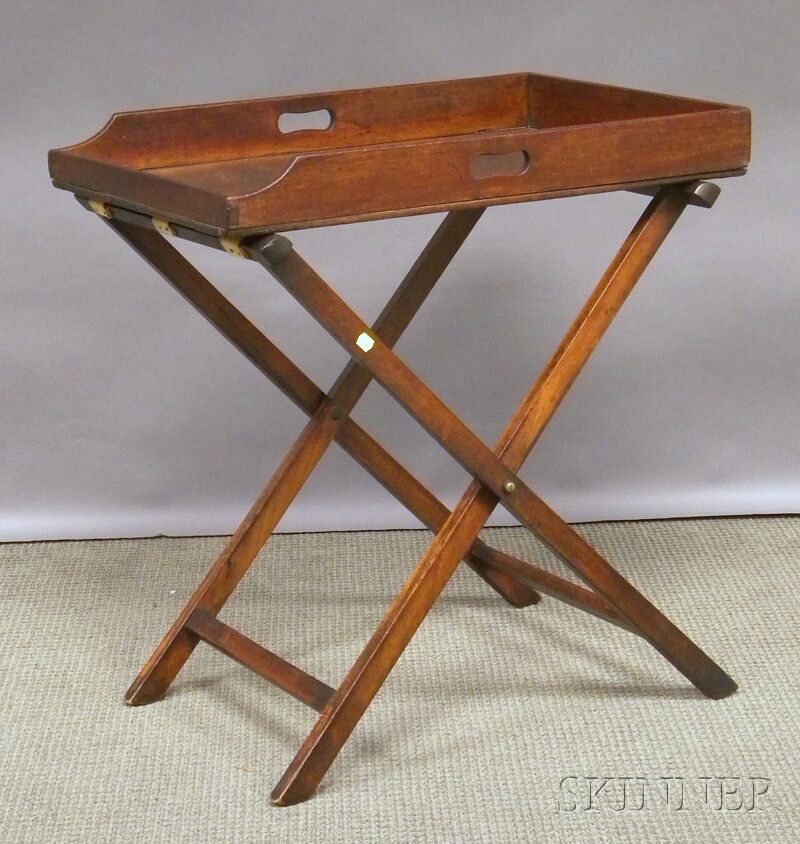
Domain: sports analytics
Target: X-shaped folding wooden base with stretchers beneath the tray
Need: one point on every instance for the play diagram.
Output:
(494, 471)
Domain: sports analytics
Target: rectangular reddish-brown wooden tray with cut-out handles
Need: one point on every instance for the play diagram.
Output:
(409, 149)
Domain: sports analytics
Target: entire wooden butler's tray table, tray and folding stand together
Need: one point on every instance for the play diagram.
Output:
(225, 176)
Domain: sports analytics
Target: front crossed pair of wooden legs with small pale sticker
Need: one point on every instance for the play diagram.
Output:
(496, 472)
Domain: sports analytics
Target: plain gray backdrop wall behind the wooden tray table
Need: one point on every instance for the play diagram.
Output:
(123, 413)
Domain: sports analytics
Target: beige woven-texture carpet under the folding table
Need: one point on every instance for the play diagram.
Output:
(489, 729)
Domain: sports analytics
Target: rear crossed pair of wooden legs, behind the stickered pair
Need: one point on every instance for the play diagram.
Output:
(328, 417)
